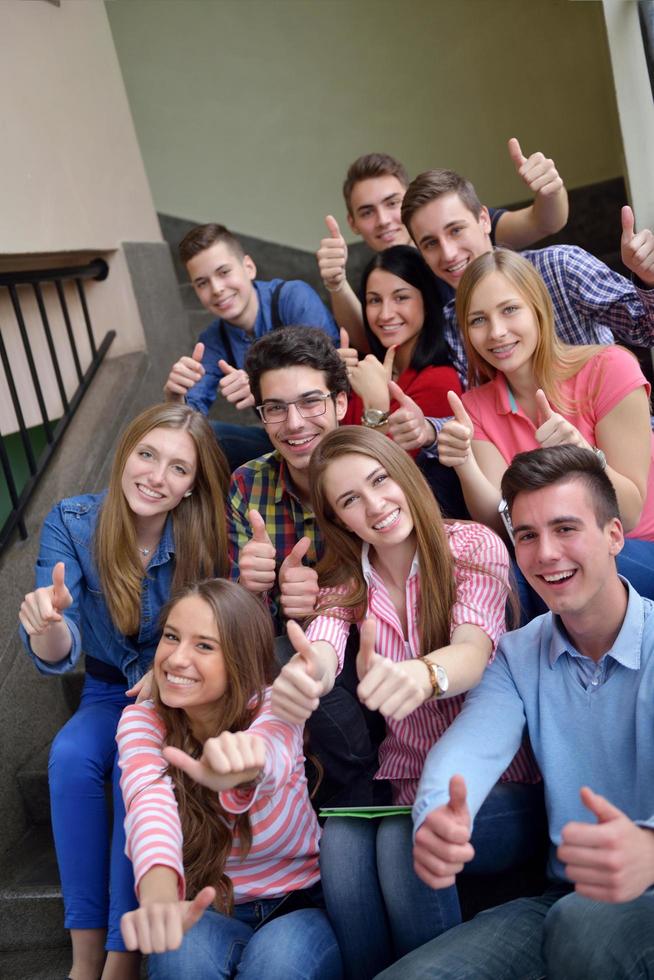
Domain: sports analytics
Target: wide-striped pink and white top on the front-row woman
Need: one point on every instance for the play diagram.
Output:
(285, 832)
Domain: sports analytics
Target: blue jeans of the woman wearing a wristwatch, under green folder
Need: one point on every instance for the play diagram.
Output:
(379, 907)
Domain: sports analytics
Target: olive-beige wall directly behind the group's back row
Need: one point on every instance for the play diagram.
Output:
(249, 112)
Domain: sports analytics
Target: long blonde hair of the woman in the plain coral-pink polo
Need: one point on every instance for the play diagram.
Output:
(553, 361)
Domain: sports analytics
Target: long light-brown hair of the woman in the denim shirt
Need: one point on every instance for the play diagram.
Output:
(199, 524)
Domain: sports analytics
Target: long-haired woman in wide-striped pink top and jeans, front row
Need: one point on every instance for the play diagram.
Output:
(217, 805)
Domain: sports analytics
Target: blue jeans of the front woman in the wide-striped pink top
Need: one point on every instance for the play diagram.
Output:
(296, 946)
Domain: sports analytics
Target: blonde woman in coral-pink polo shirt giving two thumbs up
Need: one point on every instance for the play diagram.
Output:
(528, 389)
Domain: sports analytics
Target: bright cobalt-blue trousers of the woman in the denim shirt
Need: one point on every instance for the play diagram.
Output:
(97, 880)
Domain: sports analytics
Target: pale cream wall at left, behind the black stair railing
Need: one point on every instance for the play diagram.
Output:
(73, 182)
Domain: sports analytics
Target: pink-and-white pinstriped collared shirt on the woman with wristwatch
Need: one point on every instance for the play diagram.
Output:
(481, 572)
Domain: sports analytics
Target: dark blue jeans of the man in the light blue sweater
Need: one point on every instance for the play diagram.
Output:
(559, 935)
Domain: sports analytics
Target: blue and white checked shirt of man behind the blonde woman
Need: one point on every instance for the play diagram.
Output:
(592, 305)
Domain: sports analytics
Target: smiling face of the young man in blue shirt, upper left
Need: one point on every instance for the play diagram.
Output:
(222, 281)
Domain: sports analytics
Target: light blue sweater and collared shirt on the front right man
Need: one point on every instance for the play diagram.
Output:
(589, 724)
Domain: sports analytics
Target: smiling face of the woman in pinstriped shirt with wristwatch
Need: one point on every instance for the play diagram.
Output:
(368, 502)
